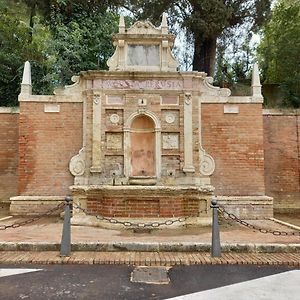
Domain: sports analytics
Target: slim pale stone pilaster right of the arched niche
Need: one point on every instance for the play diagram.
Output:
(188, 134)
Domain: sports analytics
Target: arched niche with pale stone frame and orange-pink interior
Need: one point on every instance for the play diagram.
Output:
(142, 149)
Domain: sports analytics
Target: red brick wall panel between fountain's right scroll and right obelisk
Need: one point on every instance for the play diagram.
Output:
(235, 141)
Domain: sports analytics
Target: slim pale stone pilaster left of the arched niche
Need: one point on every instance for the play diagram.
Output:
(96, 141)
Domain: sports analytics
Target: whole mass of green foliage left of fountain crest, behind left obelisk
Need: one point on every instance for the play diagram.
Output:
(59, 38)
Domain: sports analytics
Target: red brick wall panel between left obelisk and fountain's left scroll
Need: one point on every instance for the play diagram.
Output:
(47, 142)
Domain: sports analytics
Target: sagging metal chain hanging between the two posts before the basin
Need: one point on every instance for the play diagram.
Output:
(155, 224)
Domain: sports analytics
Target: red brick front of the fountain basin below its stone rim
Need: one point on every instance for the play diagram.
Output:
(146, 207)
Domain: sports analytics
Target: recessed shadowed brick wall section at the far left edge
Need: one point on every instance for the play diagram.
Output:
(9, 127)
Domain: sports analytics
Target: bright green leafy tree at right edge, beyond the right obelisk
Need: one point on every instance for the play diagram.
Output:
(279, 50)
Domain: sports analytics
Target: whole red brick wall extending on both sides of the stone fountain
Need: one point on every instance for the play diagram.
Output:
(47, 141)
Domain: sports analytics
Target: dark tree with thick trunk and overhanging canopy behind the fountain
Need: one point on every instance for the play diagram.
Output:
(206, 20)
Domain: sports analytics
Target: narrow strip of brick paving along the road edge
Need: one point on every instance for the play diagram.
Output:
(150, 258)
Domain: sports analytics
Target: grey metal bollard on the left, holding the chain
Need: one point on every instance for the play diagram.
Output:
(65, 246)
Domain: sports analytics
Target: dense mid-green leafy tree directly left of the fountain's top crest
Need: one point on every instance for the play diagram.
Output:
(85, 43)
